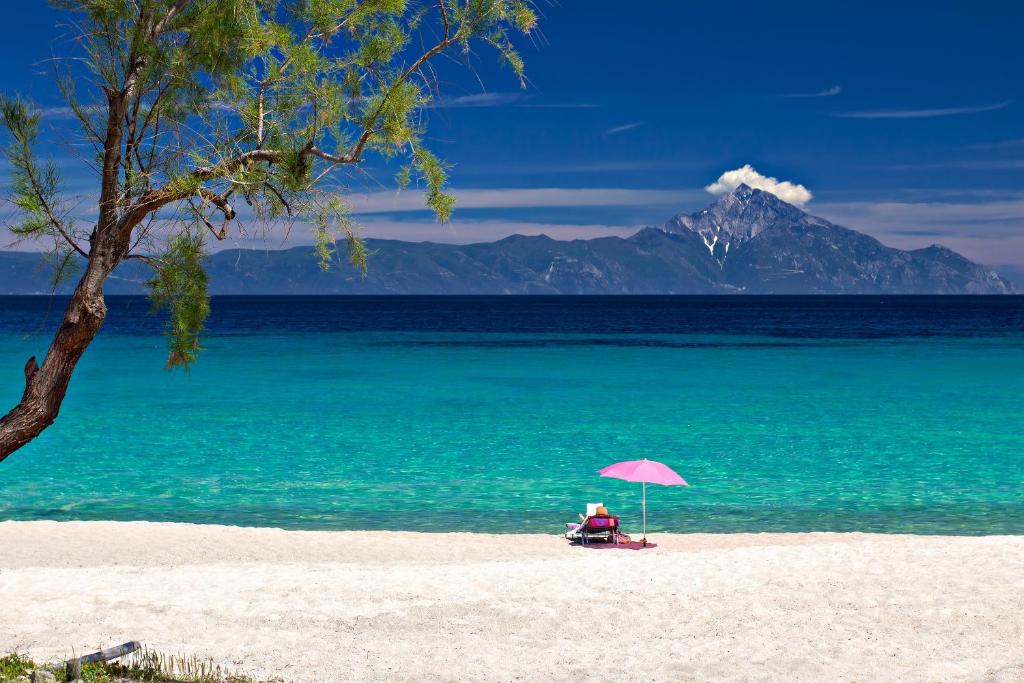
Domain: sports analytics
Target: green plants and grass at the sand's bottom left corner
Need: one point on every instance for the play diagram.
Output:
(144, 667)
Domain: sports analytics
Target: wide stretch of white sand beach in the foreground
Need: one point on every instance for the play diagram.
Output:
(376, 606)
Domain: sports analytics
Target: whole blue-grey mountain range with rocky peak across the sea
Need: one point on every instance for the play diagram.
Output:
(749, 242)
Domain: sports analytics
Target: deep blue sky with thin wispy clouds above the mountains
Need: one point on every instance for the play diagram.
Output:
(902, 120)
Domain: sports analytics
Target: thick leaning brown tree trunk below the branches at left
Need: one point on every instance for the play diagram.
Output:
(46, 387)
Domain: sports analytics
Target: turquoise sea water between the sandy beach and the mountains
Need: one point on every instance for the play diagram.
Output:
(504, 431)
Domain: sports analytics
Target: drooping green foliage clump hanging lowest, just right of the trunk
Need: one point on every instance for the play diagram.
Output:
(182, 288)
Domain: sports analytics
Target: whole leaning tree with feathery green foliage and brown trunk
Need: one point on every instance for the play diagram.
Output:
(198, 104)
